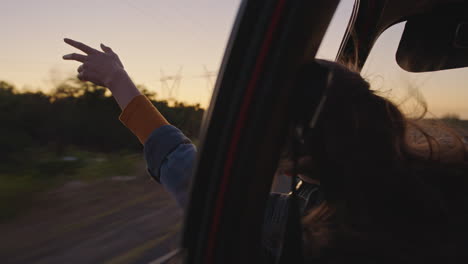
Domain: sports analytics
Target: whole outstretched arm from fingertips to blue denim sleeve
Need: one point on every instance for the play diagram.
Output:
(168, 152)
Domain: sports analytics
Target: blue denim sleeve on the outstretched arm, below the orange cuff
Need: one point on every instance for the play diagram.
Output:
(170, 158)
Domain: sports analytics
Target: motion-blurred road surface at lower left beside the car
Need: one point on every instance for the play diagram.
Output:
(111, 221)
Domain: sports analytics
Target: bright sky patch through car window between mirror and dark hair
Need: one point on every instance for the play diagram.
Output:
(442, 93)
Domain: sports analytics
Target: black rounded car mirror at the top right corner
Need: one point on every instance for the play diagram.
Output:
(435, 41)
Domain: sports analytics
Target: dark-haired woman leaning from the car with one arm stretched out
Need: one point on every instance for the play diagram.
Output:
(384, 199)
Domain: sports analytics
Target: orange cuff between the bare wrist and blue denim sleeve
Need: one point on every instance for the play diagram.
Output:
(142, 118)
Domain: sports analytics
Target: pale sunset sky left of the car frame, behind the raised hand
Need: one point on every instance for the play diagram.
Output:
(148, 35)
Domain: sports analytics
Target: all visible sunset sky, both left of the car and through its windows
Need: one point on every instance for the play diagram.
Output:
(150, 35)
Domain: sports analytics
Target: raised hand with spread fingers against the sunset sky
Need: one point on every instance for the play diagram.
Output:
(98, 67)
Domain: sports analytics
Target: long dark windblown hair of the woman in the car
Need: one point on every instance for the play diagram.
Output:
(389, 198)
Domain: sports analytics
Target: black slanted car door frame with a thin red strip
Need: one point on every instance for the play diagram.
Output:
(246, 125)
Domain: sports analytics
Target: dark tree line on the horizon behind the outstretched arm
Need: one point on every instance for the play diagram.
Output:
(76, 114)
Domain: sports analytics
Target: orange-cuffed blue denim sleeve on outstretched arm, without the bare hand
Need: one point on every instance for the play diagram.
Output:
(168, 152)
